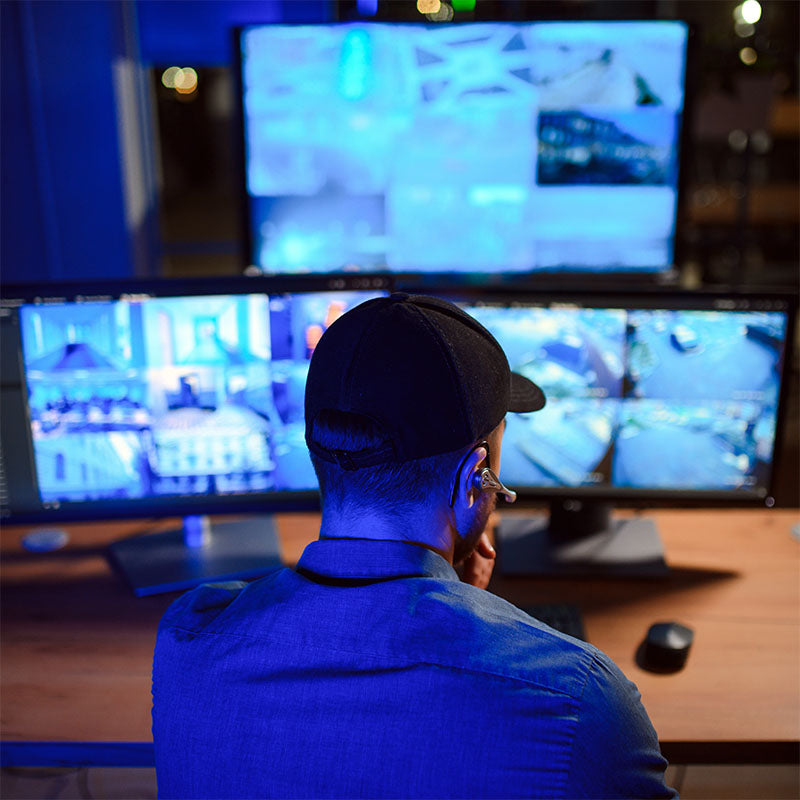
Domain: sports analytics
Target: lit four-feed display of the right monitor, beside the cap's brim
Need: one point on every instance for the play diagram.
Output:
(648, 399)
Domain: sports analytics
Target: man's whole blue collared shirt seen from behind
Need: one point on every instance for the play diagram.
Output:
(372, 671)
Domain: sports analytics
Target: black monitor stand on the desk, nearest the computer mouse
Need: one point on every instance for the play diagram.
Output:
(580, 539)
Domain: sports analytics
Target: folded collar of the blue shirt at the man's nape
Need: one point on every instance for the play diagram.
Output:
(372, 559)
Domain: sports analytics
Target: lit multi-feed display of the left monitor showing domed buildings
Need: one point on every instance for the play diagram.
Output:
(172, 395)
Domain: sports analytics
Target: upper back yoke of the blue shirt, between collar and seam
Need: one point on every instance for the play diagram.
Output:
(447, 624)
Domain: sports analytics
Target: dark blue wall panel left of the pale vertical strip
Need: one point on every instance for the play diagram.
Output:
(63, 211)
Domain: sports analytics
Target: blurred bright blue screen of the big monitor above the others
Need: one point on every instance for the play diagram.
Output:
(494, 148)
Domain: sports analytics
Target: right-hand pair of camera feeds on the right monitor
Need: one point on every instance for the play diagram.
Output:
(701, 399)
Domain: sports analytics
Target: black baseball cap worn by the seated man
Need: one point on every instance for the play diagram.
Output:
(425, 374)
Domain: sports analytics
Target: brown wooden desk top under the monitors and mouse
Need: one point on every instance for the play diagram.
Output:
(77, 646)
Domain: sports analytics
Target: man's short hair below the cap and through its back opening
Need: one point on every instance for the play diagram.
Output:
(391, 487)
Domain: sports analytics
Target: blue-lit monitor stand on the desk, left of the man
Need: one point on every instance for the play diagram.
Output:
(200, 552)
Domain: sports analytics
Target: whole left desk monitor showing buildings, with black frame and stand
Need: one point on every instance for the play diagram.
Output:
(161, 399)
